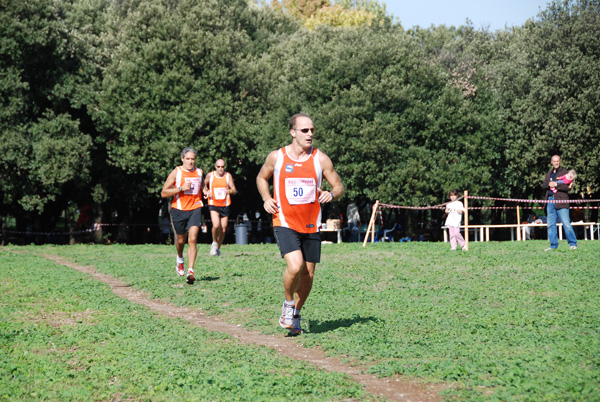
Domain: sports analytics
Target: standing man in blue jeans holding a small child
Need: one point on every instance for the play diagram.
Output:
(558, 210)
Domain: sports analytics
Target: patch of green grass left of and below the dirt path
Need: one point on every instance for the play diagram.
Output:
(64, 337)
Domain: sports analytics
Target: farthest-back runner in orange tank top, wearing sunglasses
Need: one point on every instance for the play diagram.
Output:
(218, 189)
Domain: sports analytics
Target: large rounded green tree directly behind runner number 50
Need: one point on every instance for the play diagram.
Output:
(394, 127)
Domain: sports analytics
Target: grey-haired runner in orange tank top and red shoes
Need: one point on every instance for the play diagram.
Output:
(185, 185)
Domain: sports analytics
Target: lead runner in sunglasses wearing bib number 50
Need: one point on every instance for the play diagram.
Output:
(298, 170)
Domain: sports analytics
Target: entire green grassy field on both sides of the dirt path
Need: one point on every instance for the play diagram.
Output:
(504, 321)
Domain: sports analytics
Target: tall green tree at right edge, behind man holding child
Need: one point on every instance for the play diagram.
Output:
(548, 84)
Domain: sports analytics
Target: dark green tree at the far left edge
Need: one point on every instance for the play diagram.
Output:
(45, 156)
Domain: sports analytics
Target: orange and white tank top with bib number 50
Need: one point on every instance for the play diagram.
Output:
(295, 186)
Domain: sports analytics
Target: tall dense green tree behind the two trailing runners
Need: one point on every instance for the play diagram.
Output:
(174, 82)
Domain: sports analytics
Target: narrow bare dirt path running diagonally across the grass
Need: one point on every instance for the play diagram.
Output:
(394, 388)
